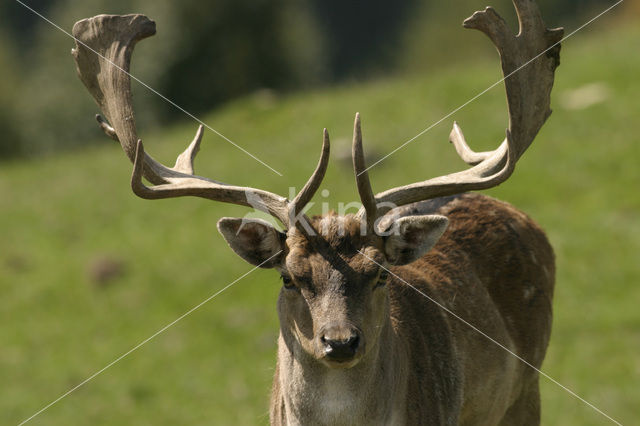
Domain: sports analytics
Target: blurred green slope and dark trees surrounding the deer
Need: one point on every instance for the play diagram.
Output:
(87, 270)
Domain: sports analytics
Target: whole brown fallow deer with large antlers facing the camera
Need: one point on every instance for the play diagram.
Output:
(375, 307)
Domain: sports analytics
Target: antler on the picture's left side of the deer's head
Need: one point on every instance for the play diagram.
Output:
(104, 45)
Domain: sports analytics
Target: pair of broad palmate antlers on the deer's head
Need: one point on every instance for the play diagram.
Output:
(105, 43)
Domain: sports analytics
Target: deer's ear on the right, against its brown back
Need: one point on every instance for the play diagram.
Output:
(410, 237)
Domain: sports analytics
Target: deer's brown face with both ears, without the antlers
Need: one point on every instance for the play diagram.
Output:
(333, 303)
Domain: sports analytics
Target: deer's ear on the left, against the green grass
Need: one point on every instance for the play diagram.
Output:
(254, 240)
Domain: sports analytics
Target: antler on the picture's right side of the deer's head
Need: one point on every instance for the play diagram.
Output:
(529, 60)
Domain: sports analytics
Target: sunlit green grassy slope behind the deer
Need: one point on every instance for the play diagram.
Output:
(87, 270)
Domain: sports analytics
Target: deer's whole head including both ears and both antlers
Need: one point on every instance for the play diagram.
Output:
(333, 304)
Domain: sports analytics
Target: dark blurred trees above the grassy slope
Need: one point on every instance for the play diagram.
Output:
(207, 54)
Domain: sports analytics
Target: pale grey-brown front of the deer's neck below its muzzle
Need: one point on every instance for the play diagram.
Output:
(372, 392)
